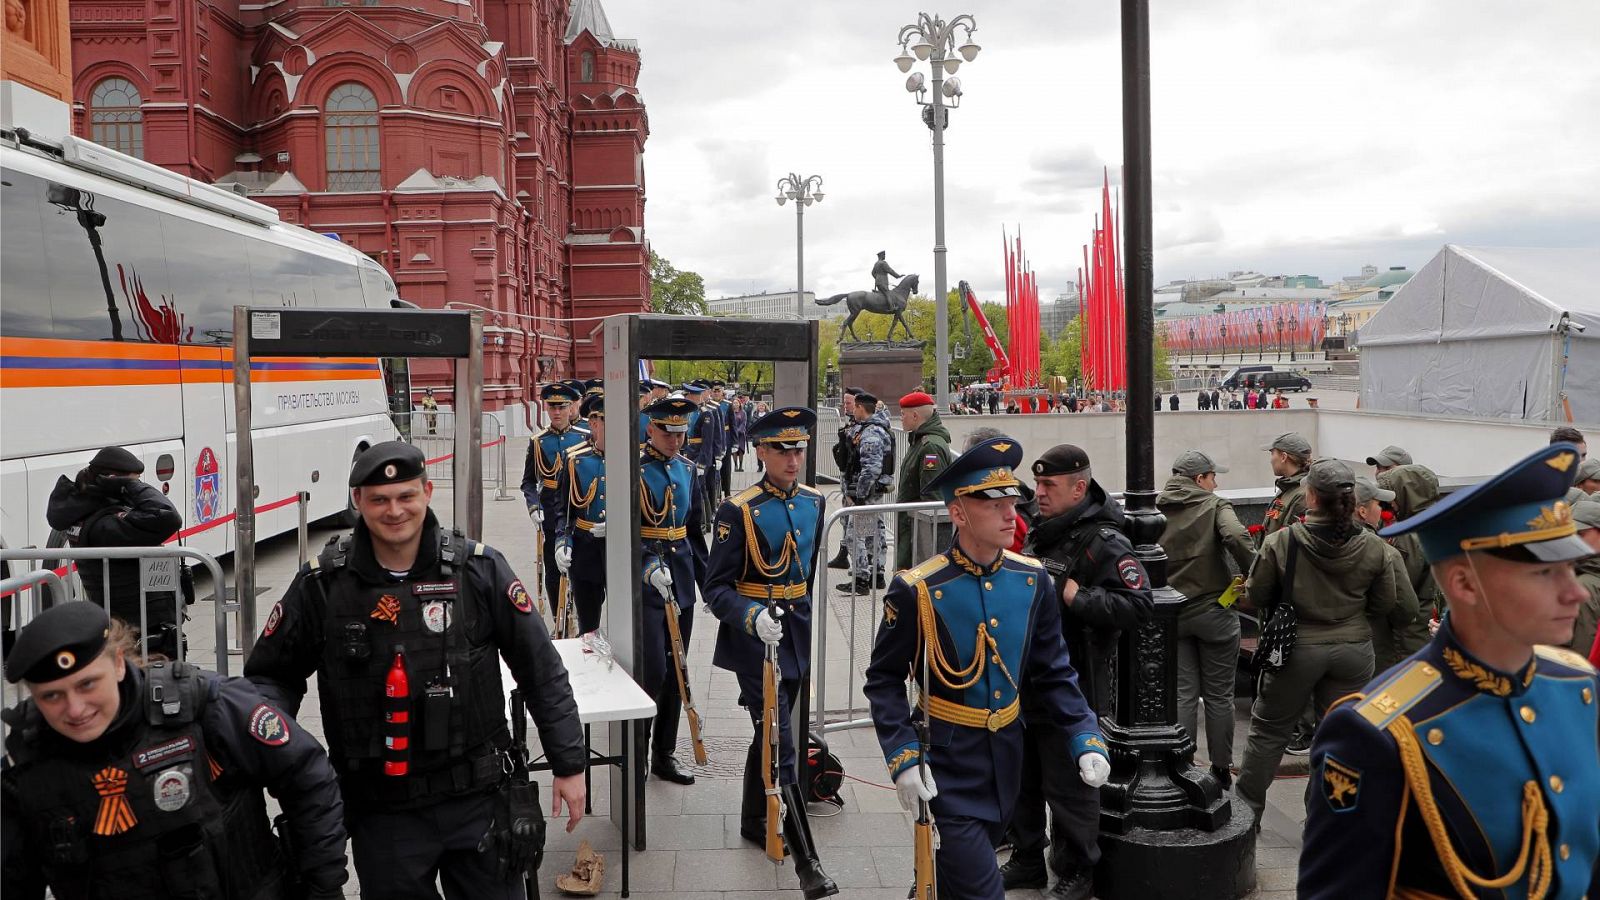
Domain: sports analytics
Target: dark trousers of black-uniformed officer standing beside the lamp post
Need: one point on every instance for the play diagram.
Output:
(1050, 779)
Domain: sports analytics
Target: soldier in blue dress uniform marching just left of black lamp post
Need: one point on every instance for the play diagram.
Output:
(990, 625)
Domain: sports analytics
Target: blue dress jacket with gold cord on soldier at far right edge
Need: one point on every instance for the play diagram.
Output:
(1444, 745)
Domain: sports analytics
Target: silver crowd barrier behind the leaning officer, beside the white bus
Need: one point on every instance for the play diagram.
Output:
(159, 574)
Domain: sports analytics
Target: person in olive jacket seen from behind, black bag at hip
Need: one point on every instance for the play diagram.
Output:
(1343, 576)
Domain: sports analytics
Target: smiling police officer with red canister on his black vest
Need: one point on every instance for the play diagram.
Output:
(407, 608)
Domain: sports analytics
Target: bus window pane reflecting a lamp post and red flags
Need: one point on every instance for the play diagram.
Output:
(108, 270)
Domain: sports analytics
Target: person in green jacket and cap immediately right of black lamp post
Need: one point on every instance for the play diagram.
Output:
(1202, 534)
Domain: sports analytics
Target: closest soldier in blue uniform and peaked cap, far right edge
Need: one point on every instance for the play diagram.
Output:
(1471, 768)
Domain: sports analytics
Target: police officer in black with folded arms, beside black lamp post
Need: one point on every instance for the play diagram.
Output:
(1103, 590)
